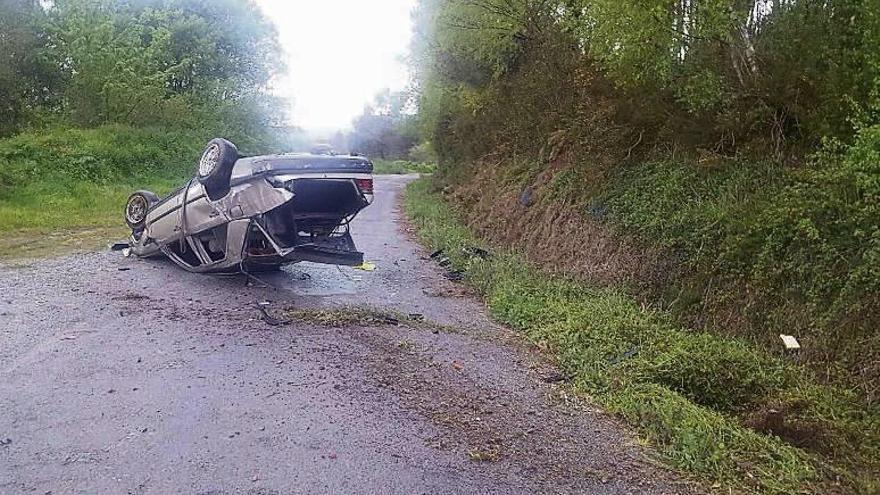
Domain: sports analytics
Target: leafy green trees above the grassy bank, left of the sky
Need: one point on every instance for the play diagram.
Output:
(188, 63)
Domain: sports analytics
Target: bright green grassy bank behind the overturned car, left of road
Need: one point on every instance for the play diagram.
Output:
(71, 182)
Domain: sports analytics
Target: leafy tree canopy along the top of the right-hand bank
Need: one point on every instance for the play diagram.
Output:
(732, 75)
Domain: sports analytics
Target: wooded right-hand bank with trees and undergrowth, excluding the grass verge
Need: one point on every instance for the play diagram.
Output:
(747, 161)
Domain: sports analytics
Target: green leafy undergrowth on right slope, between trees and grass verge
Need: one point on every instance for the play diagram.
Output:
(786, 250)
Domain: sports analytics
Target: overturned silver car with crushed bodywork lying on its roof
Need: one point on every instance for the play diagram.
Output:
(255, 213)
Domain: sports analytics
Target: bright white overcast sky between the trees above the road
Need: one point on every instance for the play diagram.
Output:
(339, 54)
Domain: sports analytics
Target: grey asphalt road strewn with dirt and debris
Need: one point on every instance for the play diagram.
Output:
(120, 375)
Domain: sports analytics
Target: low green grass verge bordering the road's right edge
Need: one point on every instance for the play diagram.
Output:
(690, 394)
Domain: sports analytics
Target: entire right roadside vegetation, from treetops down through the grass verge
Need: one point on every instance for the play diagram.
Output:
(730, 150)
